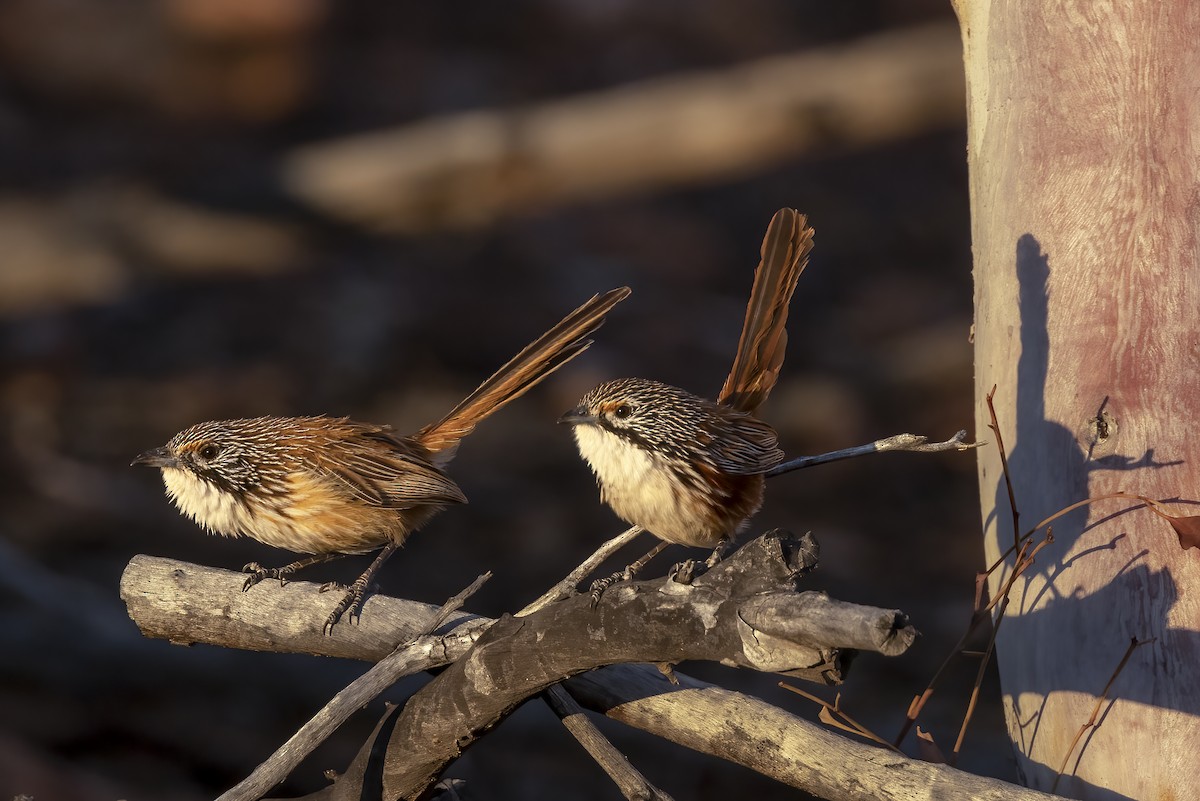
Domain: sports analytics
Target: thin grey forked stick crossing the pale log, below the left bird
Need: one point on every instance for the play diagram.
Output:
(362, 691)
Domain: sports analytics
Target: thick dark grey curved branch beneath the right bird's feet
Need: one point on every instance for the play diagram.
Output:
(658, 622)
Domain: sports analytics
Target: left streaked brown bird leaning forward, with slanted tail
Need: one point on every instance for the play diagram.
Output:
(332, 487)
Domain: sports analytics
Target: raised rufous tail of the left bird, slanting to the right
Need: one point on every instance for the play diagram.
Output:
(543, 357)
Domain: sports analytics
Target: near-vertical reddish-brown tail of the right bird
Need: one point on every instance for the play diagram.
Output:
(764, 342)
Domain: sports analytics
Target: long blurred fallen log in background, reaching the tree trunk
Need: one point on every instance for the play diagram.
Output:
(469, 170)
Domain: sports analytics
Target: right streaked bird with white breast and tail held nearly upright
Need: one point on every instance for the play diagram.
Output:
(682, 467)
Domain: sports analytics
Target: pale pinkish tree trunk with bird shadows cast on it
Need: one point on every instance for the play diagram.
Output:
(1084, 124)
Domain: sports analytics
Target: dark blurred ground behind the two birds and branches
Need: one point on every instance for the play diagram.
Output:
(163, 264)
